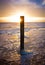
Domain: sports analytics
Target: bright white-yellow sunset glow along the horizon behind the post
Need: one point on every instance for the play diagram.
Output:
(16, 18)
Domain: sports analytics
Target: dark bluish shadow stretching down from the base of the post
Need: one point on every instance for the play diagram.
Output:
(25, 59)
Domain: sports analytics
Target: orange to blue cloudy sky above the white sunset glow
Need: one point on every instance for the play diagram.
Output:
(34, 8)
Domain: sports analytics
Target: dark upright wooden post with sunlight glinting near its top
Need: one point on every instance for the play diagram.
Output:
(22, 33)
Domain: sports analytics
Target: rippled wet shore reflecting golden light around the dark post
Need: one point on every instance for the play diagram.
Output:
(10, 45)
